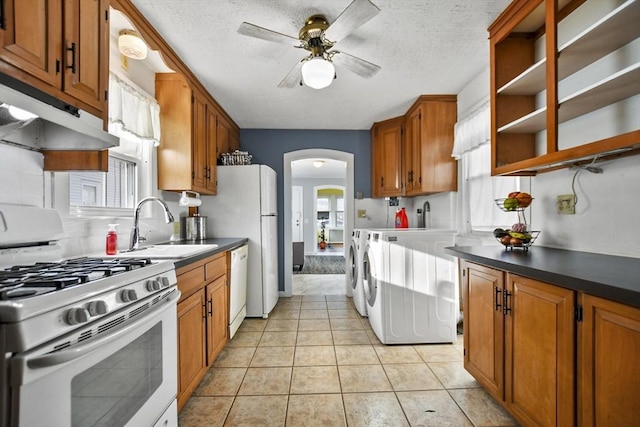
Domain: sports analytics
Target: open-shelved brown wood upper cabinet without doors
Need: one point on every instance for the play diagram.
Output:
(564, 83)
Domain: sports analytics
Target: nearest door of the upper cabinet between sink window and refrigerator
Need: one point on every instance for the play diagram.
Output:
(199, 143)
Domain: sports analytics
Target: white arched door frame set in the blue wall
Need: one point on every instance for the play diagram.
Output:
(349, 206)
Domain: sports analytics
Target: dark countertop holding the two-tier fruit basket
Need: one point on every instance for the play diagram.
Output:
(615, 278)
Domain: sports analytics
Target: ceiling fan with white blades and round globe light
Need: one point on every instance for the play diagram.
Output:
(319, 37)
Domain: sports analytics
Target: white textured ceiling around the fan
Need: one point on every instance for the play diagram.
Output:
(423, 47)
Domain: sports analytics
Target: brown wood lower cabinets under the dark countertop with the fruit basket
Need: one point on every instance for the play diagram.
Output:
(522, 339)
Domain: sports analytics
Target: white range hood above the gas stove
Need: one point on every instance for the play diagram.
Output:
(58, 126)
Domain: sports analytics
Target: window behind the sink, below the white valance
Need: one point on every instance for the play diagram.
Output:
(113, 189)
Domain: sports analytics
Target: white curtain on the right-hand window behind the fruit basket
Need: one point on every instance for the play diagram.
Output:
(472, 147)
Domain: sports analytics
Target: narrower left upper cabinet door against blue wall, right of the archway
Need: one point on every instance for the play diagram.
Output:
(387, 158)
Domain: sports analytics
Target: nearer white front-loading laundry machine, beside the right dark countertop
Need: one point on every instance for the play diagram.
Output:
(411, 286)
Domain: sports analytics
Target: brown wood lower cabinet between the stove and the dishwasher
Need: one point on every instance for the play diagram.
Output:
(202, 320)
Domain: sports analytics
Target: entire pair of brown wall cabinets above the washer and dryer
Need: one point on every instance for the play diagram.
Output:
(411, 154)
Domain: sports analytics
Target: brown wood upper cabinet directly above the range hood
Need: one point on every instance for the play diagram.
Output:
(59, 47)
